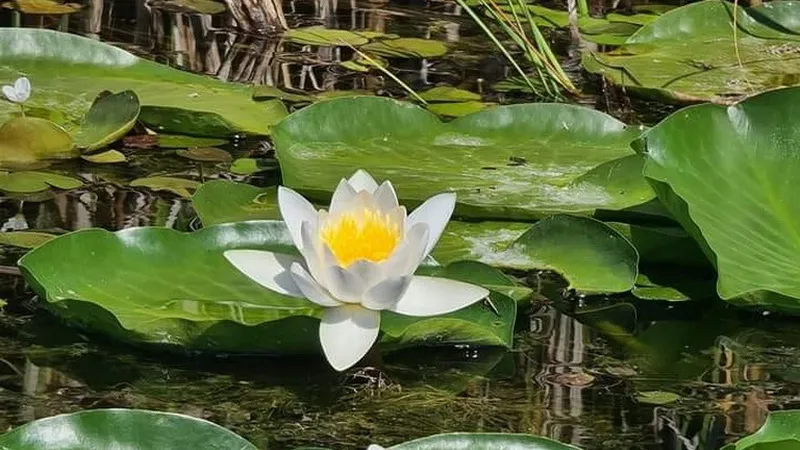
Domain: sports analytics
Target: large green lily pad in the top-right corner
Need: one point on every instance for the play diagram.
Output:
(688, 54)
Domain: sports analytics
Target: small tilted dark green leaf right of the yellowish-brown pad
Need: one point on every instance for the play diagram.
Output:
(108, 120)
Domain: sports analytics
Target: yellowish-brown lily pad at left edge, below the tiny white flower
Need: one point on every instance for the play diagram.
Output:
(29, 139)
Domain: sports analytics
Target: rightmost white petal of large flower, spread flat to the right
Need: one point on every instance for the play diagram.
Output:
(429, 296)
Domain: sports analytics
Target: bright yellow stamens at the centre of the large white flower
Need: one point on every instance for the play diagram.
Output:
(364, 234)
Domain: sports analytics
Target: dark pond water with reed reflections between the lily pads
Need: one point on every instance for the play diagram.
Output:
(590, 372)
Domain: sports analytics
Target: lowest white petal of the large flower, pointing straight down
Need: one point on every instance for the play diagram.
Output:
(347, 333)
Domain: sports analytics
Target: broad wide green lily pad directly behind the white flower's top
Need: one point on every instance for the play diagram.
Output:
(508, 162)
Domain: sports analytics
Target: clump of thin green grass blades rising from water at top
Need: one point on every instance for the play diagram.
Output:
(549, 79)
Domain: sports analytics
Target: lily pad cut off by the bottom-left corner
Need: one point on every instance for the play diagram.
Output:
(130, 429)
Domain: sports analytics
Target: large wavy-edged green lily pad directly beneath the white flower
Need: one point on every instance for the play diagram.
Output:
(160, 286)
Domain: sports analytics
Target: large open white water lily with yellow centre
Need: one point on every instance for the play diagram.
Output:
(358, 259)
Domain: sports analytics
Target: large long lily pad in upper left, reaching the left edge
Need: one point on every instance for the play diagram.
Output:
(67, 72)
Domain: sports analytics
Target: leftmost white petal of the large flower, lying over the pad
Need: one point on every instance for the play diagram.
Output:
(268, 269)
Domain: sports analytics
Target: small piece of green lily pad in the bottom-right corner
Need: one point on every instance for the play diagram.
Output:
(779, 432)
